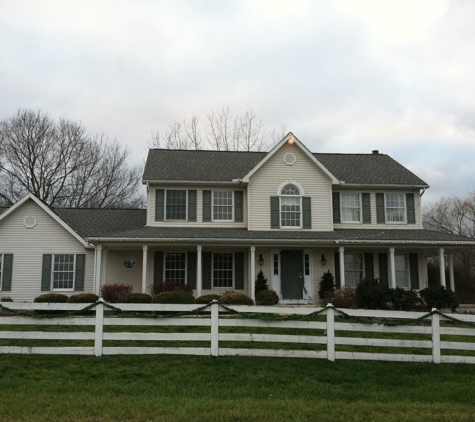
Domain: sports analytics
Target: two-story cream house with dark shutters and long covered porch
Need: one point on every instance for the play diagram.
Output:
(216, 218)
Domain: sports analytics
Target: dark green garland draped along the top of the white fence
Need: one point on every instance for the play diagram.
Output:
(244, 315)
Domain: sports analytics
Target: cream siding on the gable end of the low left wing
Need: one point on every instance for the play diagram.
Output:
(29, 245)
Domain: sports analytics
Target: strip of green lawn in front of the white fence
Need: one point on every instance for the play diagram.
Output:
(193, 388)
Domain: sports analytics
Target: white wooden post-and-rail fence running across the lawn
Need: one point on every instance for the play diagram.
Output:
(329, 334)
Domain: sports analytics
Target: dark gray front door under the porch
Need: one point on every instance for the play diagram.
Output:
(291, 263)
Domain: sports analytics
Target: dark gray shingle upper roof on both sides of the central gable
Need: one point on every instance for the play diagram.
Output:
(224, 166)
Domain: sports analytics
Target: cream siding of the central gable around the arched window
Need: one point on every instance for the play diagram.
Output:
(274, 173)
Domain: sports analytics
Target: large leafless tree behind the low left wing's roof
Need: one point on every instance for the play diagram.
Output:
(62, 165)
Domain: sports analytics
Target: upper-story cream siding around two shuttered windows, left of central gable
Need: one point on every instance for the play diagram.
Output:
(199, 206)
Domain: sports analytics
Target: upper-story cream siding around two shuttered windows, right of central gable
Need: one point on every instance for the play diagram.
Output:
(374, 224)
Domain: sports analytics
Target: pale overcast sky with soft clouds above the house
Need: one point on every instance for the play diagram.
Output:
(343, 75)
